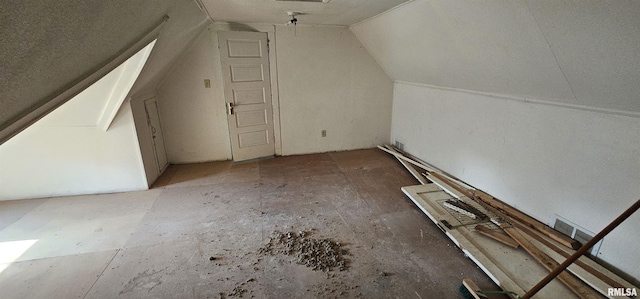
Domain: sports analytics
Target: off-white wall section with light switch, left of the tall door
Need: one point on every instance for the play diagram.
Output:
(193, 117)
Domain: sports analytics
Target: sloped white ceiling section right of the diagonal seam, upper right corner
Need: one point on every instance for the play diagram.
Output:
(597, 45)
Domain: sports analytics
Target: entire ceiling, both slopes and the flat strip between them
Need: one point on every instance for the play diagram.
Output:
(583, 53)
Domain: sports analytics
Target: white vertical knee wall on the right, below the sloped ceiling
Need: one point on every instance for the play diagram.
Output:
(543, 160)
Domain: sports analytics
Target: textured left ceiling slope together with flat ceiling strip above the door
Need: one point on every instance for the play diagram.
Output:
(50, 49)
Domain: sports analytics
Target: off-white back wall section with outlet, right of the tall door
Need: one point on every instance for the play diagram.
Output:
(327, 80)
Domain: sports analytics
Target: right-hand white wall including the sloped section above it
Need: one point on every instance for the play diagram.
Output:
(535, 102)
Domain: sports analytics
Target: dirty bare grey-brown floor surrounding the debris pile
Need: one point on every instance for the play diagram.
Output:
(158, 243)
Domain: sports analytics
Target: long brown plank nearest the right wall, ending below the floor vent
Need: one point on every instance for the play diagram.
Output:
(526, 219)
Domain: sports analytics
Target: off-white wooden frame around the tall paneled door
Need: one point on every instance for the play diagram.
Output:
(273, 73)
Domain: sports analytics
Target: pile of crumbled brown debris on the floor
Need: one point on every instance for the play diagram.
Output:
(317, 254)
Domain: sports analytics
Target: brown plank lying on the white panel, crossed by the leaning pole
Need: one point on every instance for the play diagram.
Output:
(575, 285)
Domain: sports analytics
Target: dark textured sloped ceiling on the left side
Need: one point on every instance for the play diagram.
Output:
(49, 46)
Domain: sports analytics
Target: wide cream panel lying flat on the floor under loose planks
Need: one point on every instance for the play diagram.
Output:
(512, 269)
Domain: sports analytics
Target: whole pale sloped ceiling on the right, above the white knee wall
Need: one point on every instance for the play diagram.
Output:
(583, 53)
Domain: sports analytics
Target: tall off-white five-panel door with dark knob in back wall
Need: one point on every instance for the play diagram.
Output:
(245, 67)
